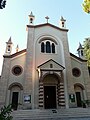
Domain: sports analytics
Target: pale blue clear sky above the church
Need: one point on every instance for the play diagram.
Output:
(14, 18)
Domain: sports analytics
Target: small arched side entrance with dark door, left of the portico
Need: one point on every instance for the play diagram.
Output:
(15, 95)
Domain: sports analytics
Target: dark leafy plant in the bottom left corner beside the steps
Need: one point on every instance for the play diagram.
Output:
(6, 113)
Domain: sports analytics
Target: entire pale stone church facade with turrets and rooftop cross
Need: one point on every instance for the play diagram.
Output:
(45, 75)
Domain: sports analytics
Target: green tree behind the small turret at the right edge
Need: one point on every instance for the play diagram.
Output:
(87, 50)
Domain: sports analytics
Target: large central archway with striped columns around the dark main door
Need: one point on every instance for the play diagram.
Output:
(51, 92)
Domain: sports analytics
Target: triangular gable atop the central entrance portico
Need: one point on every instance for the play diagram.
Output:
(51, 65)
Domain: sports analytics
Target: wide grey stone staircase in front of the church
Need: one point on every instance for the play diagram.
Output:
(54, 114)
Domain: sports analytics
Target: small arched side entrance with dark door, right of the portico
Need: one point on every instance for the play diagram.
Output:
(79, 94)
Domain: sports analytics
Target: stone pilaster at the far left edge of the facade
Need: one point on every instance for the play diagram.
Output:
(4, 81)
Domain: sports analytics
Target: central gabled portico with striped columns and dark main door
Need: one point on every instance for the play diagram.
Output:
(51, 85)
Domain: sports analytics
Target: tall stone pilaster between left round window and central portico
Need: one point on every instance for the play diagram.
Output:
(28, 83)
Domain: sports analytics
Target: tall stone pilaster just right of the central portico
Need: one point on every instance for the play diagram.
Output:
(69, 86)
